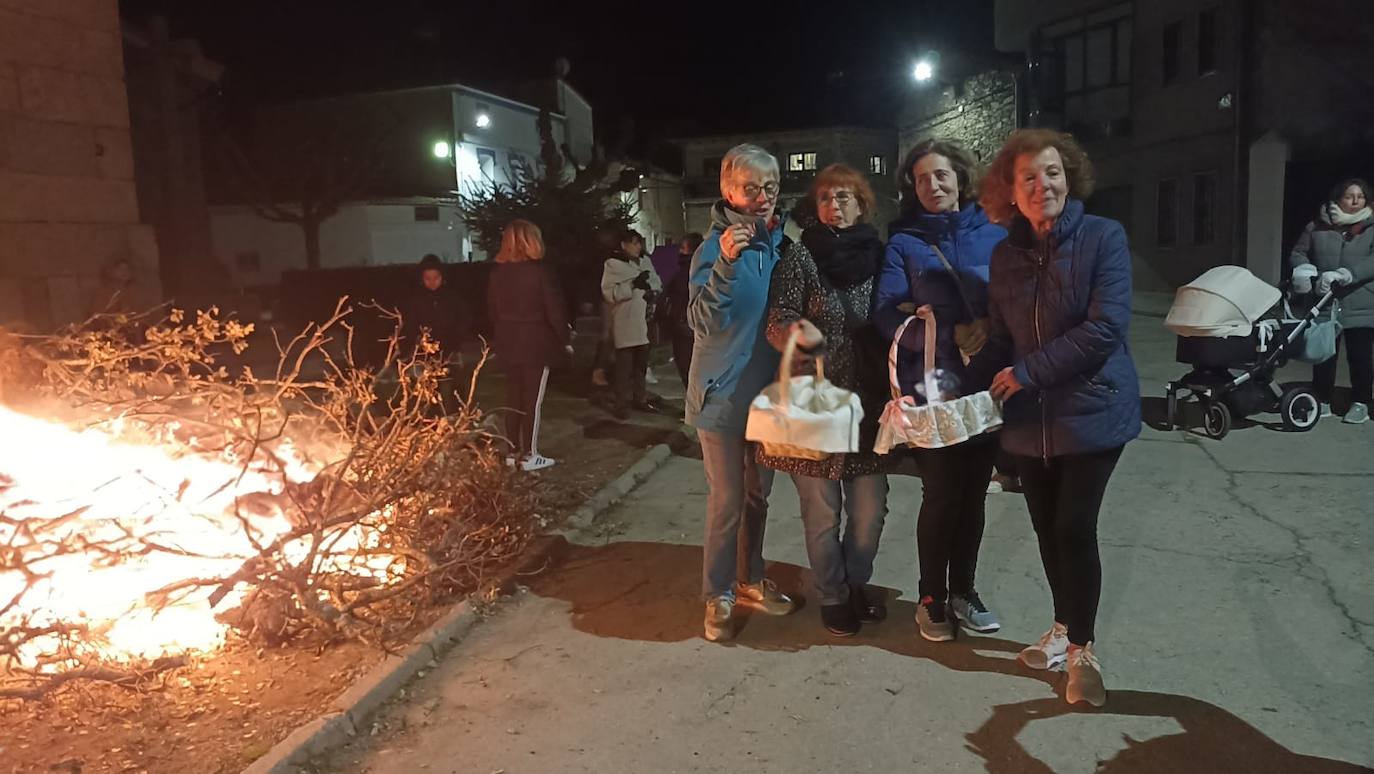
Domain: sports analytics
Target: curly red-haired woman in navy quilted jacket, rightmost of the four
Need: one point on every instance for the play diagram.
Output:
(1060, 306)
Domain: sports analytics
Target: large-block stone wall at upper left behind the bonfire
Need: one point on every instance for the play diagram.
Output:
(68, 203)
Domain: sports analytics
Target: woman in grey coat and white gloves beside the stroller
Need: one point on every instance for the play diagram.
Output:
(1338, 251)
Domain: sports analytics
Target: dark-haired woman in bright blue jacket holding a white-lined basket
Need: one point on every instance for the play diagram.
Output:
(943, 225)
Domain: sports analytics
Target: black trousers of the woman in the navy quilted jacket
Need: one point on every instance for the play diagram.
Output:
(1064, 497)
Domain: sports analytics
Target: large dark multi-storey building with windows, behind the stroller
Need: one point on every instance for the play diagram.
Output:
(1217, 127)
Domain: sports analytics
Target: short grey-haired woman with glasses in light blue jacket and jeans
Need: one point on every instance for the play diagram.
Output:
(732, 364)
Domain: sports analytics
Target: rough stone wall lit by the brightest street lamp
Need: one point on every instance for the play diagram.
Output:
(980, 113)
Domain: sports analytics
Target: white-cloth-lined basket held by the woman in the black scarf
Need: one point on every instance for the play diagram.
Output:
(804, 413)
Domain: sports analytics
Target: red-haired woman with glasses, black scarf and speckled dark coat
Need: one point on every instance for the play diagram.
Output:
(824, 291)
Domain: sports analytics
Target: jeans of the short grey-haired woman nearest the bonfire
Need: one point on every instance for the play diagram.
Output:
(737, 509)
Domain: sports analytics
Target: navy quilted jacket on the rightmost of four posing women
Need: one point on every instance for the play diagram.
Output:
(1059, 313)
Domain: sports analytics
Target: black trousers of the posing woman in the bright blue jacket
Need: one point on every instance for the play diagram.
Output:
(954, 491)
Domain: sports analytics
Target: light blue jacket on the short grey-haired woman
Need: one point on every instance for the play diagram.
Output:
(732, 360)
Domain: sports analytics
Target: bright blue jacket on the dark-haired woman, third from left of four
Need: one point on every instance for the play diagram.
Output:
(914, 274)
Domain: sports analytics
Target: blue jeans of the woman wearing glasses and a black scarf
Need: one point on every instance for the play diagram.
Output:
(842, 563)
